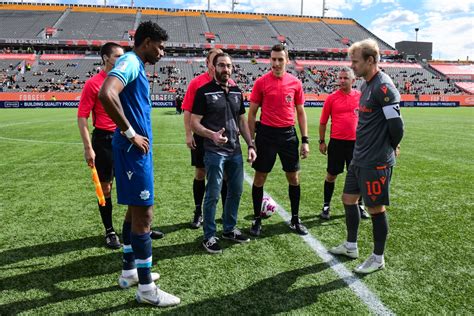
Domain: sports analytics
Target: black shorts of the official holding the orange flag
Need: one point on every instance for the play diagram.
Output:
(104, 161)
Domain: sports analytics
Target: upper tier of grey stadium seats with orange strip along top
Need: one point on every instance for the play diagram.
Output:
(89, 23)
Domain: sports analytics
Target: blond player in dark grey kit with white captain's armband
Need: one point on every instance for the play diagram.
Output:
(379, 132)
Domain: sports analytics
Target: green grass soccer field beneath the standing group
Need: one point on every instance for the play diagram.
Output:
(52, 258)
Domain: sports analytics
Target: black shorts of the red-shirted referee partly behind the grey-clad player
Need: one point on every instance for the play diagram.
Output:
(339, 155)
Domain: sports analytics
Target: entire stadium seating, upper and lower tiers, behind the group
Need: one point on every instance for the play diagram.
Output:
(244, 35)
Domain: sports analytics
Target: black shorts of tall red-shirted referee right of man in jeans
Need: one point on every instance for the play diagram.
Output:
(271, 141)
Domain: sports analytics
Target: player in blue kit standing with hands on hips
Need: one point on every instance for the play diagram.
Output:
(125, 95)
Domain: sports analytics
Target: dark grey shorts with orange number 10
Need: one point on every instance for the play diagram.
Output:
(372, 184)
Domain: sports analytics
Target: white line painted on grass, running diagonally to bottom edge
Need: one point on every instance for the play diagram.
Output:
(354, 283)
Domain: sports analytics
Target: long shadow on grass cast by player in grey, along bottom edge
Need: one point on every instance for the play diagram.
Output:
(265, 297)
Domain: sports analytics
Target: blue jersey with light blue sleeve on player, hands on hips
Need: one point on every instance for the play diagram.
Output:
(135, 97)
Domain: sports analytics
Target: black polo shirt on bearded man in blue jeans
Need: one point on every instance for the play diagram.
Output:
(220, 109)
